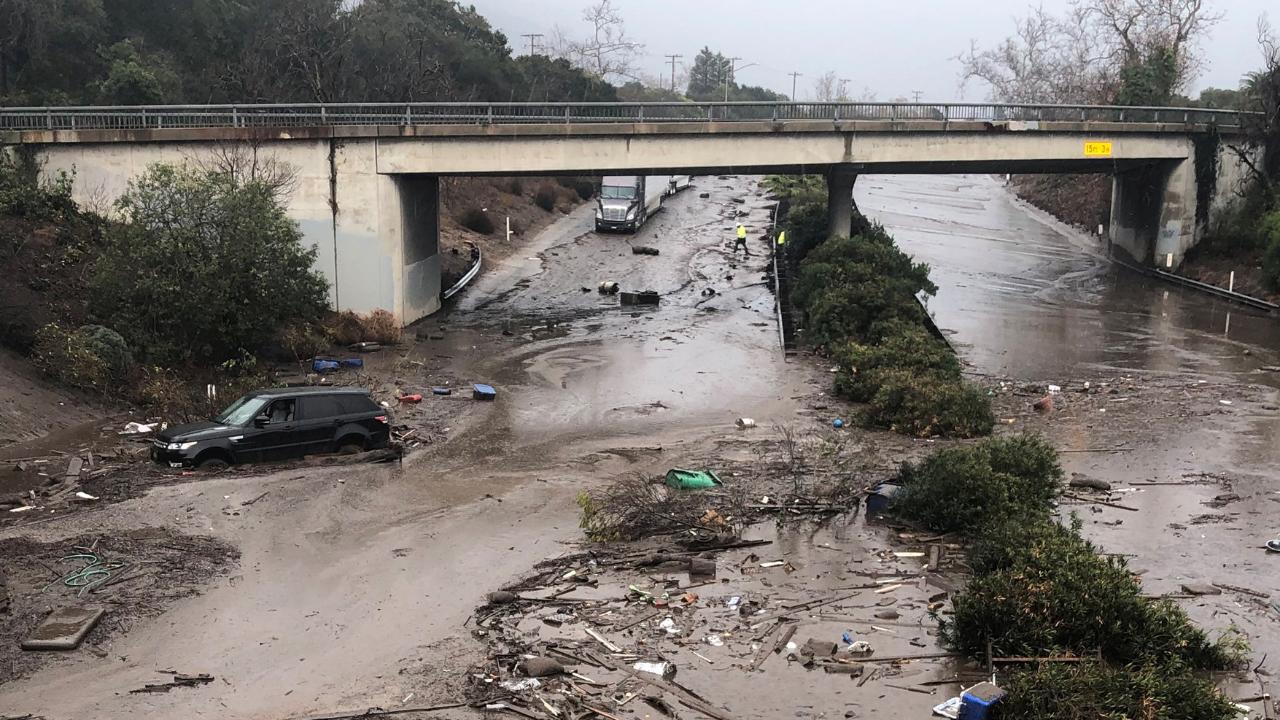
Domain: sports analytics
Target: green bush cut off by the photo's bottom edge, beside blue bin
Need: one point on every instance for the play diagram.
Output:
(1094, 691)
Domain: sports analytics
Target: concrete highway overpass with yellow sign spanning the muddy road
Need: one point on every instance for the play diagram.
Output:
(367, 189)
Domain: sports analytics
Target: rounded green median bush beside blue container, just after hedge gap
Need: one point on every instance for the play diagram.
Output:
(968, 487)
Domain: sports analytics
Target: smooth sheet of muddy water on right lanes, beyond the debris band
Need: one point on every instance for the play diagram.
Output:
(1032, 299)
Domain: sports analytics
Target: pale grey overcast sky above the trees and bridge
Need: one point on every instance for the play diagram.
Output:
(888, 47)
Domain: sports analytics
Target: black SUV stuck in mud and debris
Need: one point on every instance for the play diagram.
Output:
(277, 425)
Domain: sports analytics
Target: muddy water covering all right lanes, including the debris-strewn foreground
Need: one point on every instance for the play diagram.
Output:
(1026, 298)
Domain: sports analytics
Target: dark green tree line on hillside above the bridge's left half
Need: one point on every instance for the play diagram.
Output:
(208, 52)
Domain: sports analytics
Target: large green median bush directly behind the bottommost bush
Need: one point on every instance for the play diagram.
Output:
(1040, 589)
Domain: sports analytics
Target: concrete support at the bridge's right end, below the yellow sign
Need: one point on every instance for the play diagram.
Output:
(1154, 213)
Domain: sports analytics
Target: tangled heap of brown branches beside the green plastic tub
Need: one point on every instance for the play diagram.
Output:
(638, 507)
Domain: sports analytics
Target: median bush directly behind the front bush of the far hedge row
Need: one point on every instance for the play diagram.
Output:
(907, 348)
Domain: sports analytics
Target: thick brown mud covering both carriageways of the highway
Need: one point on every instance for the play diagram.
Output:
(356, 584)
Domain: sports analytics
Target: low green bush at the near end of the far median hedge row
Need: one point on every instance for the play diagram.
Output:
(930, 407)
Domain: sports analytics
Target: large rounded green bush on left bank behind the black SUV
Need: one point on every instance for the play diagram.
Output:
(205, 270)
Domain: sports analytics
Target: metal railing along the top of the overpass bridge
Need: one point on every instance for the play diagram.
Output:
(161, 117)
